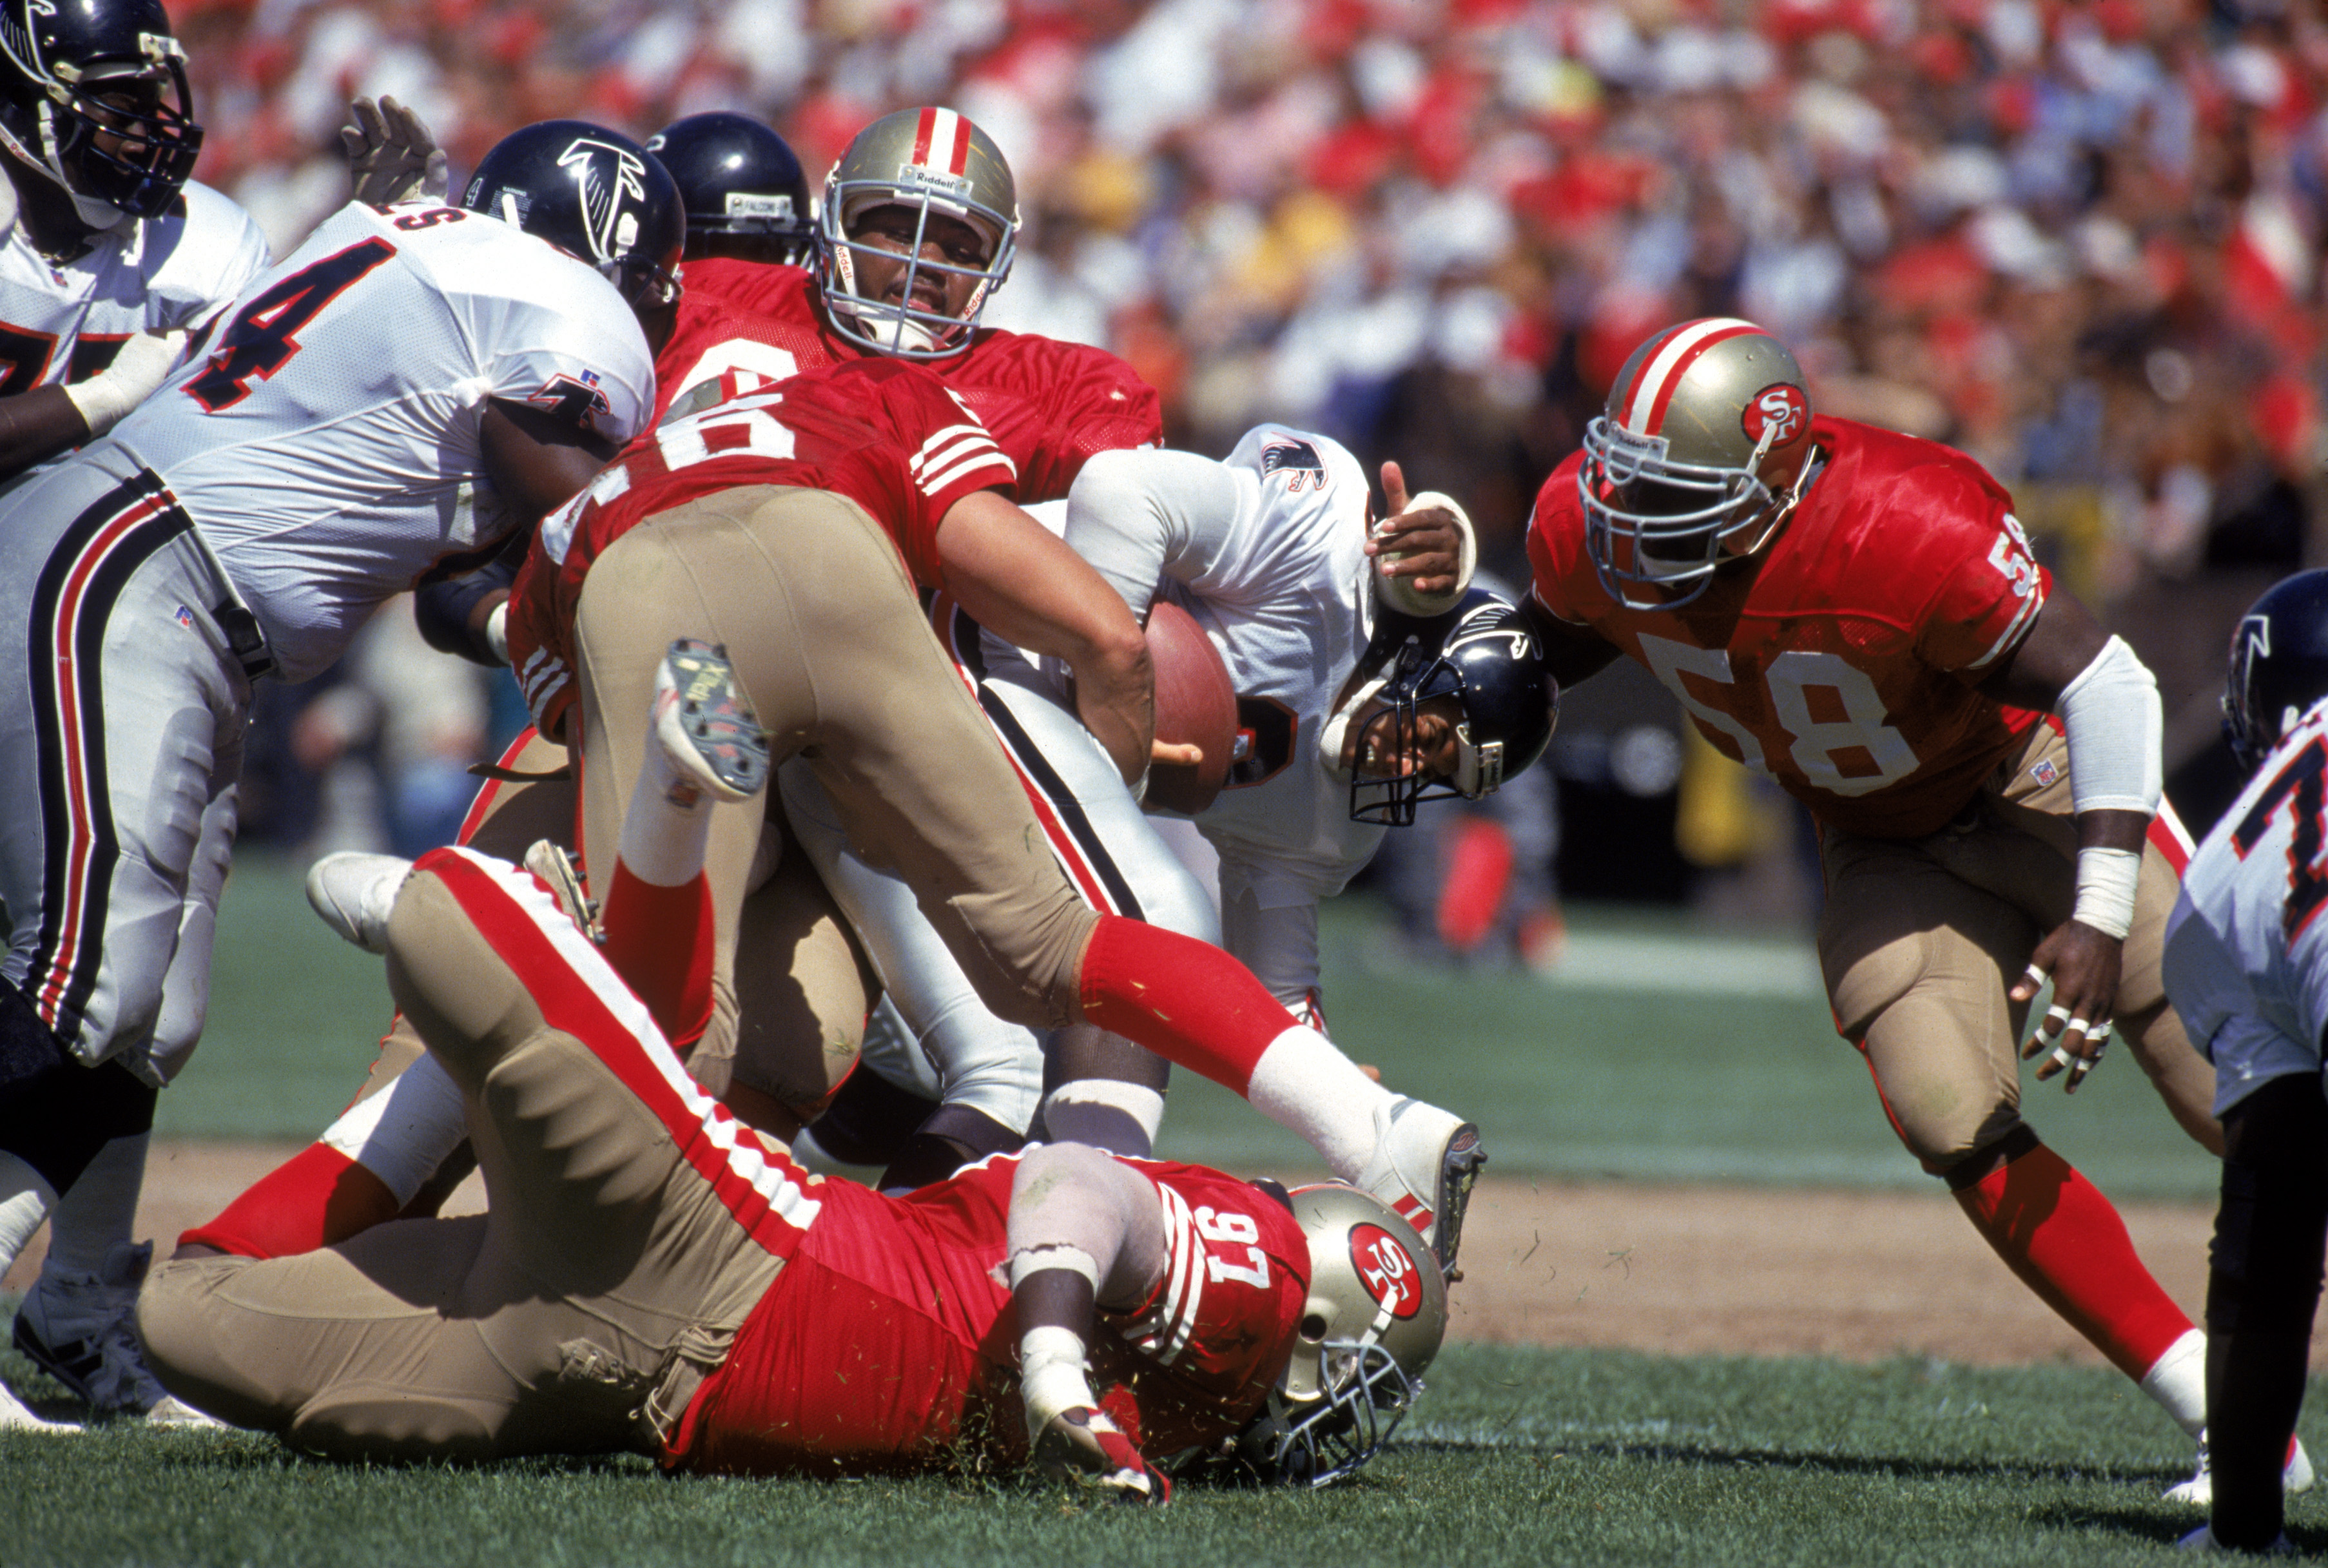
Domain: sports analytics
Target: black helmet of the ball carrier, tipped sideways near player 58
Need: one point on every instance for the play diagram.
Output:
(1486, 657)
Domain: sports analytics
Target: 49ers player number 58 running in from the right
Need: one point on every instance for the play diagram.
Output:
(1859, 615)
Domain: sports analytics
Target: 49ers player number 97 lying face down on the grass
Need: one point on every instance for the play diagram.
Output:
(658, 1278)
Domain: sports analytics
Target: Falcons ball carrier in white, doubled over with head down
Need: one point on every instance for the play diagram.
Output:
(1349, 713)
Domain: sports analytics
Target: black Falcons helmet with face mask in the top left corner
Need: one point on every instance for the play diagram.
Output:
(80, 69)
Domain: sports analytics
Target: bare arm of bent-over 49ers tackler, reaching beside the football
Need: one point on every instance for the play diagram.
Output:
(1028, 587)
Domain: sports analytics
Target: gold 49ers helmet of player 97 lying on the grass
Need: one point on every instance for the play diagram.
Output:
(1372, 1323)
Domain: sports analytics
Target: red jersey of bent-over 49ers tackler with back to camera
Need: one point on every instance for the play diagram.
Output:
(886, 434)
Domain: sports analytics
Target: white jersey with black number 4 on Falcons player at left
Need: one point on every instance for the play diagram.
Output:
(327, 439)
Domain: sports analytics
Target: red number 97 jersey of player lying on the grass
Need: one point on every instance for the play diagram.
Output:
(888, 1341)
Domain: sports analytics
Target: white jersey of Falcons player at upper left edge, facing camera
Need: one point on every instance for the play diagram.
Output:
(66, 320)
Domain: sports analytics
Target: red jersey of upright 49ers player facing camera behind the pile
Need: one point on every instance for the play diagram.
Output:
(1049, 404)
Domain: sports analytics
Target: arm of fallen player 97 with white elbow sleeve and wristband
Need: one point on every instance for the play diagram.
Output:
(1086, 1232)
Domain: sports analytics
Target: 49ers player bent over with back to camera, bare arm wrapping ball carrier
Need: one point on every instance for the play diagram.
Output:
(802, 566)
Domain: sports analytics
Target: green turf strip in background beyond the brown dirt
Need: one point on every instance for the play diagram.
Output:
(1705, 1060)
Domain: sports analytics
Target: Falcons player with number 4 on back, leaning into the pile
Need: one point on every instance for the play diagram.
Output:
(413, 385)
